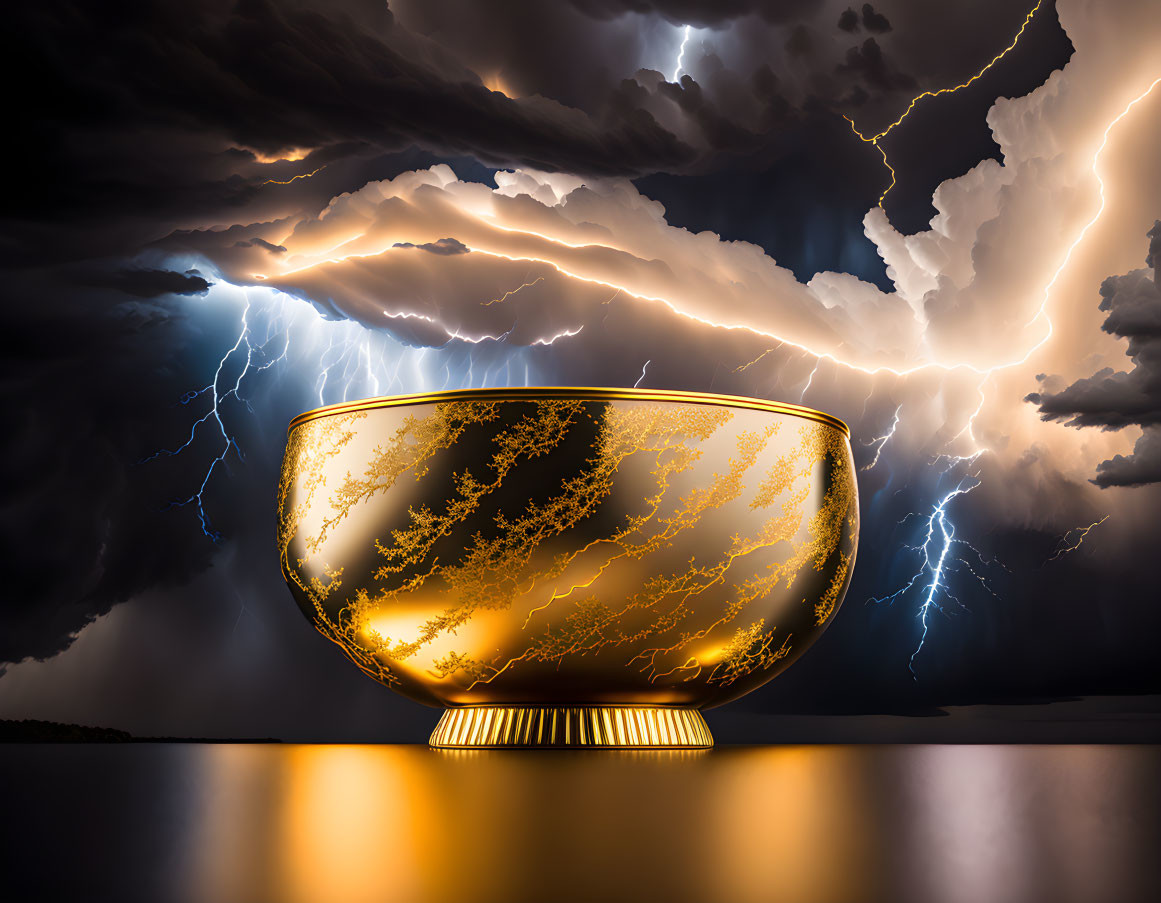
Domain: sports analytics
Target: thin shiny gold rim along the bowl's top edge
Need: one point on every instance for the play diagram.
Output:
(565, 393)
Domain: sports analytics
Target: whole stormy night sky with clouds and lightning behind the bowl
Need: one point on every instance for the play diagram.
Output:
(222, 214)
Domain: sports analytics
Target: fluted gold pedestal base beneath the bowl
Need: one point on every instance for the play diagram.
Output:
(572, 727)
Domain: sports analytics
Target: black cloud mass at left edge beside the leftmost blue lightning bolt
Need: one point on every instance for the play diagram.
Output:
(86, 395)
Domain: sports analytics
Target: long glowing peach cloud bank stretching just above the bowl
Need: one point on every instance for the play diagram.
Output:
(585, 237)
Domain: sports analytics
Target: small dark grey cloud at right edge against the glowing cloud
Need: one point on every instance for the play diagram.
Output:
(1113, 400)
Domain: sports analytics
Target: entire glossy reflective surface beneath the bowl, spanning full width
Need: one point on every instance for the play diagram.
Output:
(312, 825)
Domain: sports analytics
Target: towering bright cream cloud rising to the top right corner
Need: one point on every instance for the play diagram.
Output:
(978, 277)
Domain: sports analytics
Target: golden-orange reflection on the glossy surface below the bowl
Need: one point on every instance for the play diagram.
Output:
(373, 823)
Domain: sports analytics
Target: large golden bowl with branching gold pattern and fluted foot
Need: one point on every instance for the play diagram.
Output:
(569, 567)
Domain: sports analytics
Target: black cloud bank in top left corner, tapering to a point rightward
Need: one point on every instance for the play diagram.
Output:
(143, 121)
